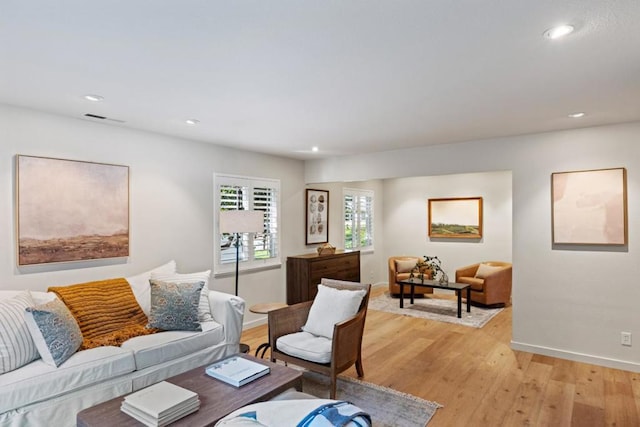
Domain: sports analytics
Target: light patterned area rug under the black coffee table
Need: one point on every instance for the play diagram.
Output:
(434, 308)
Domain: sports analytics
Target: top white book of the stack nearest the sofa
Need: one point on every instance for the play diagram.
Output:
(160, 399)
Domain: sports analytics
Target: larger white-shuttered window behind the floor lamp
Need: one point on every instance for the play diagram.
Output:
(254, 249)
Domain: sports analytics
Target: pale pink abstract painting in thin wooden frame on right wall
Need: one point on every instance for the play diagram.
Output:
(589, 207)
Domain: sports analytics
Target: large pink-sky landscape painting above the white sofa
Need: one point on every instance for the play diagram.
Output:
(70, 210)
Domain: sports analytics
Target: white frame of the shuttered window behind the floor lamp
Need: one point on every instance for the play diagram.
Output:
(250, 183)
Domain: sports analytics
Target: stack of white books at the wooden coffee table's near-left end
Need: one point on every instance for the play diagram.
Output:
(160, 404)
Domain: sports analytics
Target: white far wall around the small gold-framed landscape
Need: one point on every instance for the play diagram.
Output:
(406, 217)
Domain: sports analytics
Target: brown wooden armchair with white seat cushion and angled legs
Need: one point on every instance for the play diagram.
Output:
(329, 356)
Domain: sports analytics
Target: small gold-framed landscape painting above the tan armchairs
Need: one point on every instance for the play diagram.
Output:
(459, 218)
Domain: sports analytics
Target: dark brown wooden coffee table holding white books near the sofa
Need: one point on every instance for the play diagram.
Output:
(217, 398)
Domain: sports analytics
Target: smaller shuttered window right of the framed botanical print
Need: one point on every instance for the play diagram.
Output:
(358, 219)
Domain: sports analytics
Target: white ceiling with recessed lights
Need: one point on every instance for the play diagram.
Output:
(347, 76)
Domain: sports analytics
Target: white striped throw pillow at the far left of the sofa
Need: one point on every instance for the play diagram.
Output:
(16, 345)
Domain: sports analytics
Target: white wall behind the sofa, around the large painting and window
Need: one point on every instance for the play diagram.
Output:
(171, 200)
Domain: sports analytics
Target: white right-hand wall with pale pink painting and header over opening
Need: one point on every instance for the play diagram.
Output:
(570, 303)
